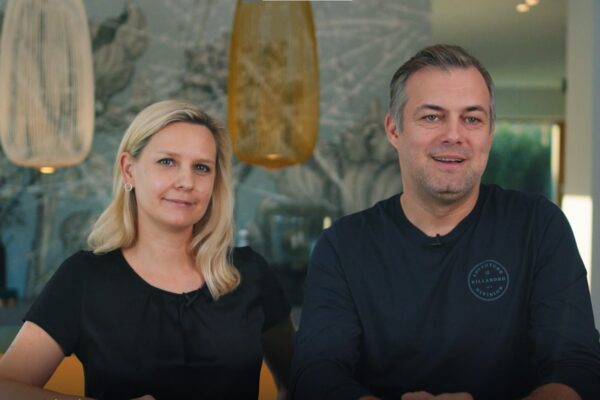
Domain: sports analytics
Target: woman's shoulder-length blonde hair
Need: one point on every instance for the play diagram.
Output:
(213, 235)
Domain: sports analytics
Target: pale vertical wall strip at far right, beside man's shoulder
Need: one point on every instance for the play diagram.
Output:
(582, 144)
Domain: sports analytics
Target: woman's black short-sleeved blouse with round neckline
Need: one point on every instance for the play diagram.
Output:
(134, 339)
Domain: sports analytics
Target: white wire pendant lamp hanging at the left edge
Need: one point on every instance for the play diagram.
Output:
(46, 83)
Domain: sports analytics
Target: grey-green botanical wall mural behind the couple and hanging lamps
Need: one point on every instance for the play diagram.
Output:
(150, 50)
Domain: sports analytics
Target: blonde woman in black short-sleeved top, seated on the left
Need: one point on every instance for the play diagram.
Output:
(163, 307)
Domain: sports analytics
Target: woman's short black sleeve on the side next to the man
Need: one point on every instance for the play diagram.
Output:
(274, 302)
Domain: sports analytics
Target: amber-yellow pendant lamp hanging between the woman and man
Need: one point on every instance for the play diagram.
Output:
(273, 92)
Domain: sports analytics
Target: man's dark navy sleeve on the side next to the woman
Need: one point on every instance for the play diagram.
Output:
(327, 344)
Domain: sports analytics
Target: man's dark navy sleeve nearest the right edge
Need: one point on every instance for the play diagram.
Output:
(566, 345)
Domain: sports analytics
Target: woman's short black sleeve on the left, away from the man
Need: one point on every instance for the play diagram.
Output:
(57, 310)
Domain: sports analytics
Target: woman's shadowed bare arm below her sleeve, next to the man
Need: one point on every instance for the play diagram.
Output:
(278, 343)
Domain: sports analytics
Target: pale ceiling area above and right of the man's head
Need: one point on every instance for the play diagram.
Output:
(519, 50)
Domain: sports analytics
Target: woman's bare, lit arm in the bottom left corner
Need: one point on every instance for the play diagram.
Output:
(28, 363)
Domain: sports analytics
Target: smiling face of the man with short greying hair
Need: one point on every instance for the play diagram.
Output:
(445, 140)
